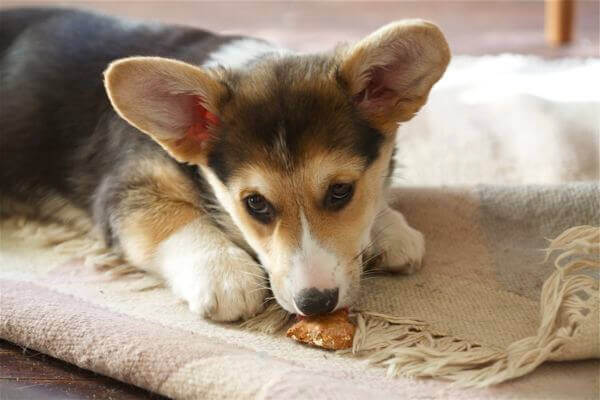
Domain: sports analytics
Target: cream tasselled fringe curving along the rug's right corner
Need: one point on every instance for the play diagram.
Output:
(409, 350)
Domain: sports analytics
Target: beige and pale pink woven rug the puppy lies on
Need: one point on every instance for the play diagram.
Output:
(472, 314)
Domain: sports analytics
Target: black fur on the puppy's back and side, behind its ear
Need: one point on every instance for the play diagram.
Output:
(59, 131)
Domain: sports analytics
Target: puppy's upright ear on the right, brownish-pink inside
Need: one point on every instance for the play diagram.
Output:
(391, 71)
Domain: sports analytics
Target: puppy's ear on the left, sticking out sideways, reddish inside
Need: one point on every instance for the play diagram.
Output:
(173, 102)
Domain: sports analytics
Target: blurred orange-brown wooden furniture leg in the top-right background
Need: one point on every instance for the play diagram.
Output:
(558, 21)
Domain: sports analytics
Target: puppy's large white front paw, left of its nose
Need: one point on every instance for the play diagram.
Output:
(222, 285)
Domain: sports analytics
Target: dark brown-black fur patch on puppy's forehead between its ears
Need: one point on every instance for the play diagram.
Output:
(290, 116)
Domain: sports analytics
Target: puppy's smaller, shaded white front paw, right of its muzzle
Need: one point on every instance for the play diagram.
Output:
(402, 247)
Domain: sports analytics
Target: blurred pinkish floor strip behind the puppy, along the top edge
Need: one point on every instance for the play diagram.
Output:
(472, 27)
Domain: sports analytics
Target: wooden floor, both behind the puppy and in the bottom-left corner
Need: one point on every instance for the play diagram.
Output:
(472, 27)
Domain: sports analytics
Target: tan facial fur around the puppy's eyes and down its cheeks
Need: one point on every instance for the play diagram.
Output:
(302, 190)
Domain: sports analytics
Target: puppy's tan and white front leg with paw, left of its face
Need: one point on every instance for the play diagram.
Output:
(160, 228)
